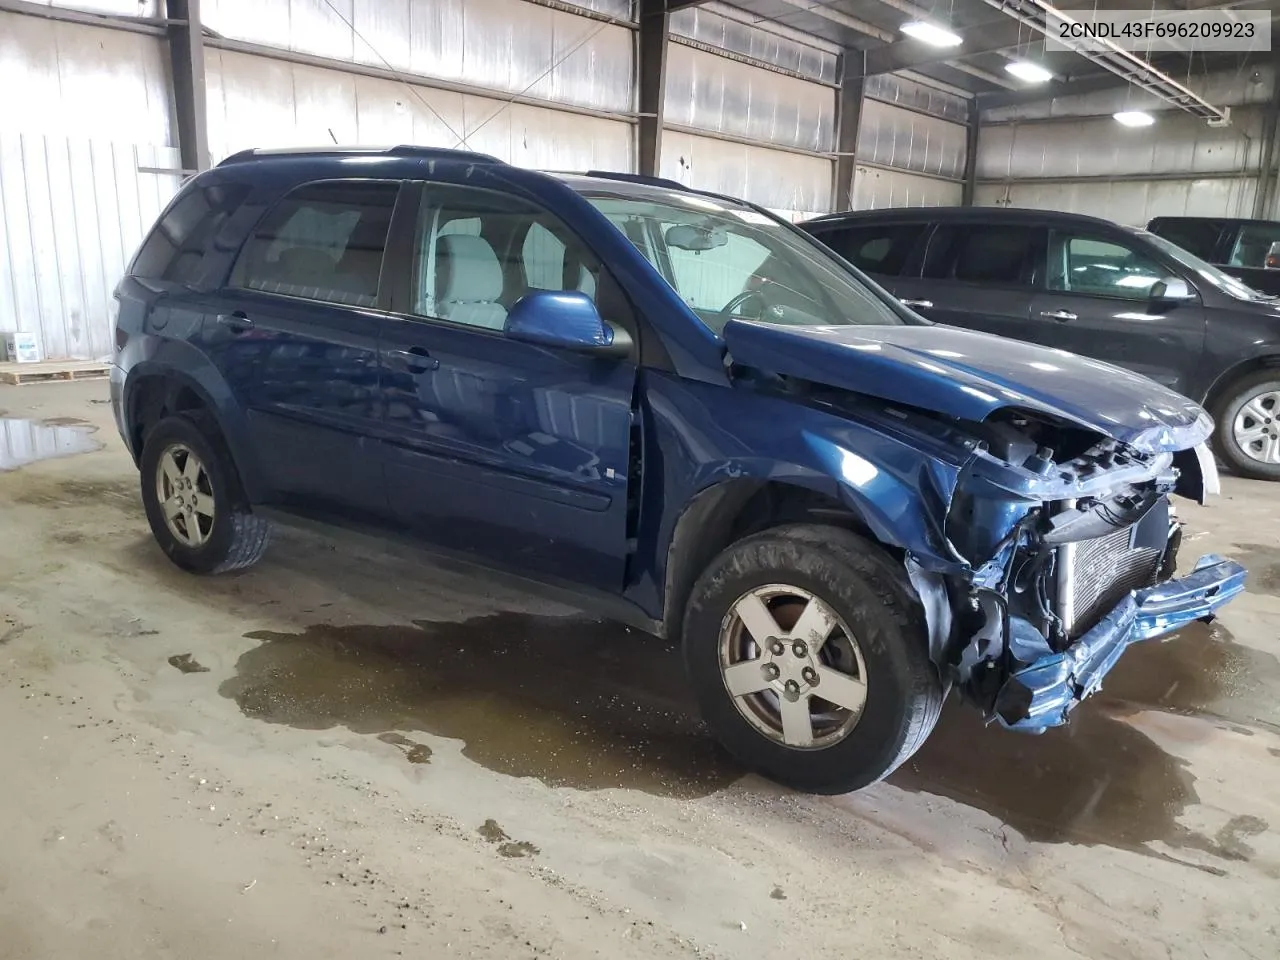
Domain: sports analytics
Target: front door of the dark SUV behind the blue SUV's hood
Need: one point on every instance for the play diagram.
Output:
(1098, 303)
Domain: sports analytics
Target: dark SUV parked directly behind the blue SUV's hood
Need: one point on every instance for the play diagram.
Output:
(1090, 287)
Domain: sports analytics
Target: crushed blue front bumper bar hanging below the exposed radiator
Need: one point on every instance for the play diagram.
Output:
(1044, 693)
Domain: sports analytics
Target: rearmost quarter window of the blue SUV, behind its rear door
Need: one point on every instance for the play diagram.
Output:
(175, 252)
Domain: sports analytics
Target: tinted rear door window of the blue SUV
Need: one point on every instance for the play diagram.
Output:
(324, 243)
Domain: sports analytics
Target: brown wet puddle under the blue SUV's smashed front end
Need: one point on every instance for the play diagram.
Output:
(1099, 780)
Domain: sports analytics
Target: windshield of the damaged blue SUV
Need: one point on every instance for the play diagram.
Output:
(726, 260)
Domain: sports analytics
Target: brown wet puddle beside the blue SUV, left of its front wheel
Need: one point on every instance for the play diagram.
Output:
(572, 702)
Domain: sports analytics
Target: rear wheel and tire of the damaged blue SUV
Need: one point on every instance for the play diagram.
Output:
(194, 499)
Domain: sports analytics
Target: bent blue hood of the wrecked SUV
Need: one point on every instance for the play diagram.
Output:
(971, 376)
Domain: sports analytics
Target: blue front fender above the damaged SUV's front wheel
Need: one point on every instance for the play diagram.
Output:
(705, 444)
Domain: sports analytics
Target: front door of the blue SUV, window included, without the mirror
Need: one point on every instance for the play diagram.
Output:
(514, 452)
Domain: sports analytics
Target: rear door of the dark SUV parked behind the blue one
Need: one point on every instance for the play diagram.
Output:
(980, 276)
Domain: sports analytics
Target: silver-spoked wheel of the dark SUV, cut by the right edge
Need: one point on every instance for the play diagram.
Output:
(1246, 433)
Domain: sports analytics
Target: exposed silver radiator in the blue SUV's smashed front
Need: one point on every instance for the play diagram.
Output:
(1095, 575)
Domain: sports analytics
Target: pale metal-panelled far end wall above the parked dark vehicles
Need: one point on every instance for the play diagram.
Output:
(1069, 154)
